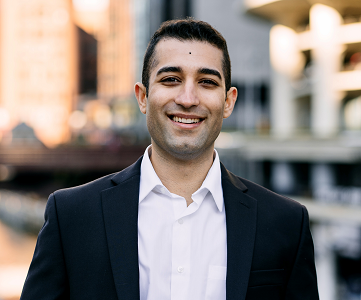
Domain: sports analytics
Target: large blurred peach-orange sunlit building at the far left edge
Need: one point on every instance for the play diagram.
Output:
(38, 65)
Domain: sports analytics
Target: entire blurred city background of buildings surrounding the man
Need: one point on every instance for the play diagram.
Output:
(68, 114)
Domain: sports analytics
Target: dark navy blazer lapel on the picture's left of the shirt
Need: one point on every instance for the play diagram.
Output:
(120, 211)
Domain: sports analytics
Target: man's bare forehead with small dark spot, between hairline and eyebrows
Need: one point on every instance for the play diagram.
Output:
(190, 55)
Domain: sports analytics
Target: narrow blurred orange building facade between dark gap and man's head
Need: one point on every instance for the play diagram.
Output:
(116, 51)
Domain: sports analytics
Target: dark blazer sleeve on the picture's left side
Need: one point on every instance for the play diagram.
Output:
(47, 277)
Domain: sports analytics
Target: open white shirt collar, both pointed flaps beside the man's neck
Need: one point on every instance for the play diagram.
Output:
(213, 181)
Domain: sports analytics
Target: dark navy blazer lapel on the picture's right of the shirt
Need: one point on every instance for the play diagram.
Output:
(241, 218)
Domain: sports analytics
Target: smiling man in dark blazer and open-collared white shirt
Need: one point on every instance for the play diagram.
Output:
(176, 224)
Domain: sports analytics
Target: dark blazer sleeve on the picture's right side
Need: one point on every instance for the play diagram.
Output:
(302, 283)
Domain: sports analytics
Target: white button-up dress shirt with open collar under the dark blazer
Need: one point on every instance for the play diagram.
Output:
(182, 250)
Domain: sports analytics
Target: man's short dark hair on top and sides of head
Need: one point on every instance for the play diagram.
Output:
(186, 29)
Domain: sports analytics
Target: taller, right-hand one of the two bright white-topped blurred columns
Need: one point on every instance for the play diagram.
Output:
(325, 23)
